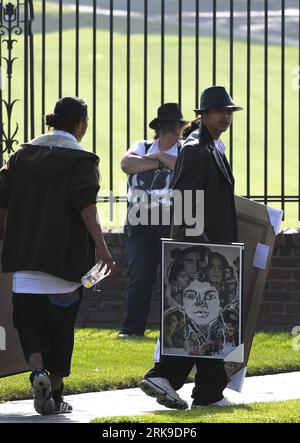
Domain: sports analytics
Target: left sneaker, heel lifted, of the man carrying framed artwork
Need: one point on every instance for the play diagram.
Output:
(165, 395)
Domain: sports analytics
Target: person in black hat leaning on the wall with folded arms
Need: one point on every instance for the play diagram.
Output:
(149, 165)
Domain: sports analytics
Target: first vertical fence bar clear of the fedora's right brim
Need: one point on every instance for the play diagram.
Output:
(248, 111)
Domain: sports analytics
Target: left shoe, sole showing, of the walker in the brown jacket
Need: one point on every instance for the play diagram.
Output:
(41, 389)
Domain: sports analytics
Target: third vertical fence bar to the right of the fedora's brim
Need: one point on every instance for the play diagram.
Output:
(282, 103)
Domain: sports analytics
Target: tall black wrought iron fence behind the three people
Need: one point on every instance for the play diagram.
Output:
(129, 56)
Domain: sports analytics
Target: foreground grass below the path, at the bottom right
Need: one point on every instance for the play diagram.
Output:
(276, 412)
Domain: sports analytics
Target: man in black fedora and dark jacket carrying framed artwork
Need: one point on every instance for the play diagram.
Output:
(201, 165)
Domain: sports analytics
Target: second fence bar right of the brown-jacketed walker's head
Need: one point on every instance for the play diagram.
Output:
(111, 94)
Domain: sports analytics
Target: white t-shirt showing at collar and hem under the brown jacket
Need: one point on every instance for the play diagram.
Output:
(35, 282)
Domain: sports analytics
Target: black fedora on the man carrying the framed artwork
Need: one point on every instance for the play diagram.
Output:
(216, 97)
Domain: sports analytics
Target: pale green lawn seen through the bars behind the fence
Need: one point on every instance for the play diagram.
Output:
(120, 99)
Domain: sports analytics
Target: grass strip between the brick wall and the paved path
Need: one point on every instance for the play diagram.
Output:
(102, 361)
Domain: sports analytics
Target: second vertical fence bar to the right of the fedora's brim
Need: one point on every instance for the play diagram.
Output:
(266, 104)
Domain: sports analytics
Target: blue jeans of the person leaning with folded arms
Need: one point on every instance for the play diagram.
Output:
(143, 250)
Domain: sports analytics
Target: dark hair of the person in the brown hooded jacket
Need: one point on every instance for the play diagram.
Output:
(68, 112)
